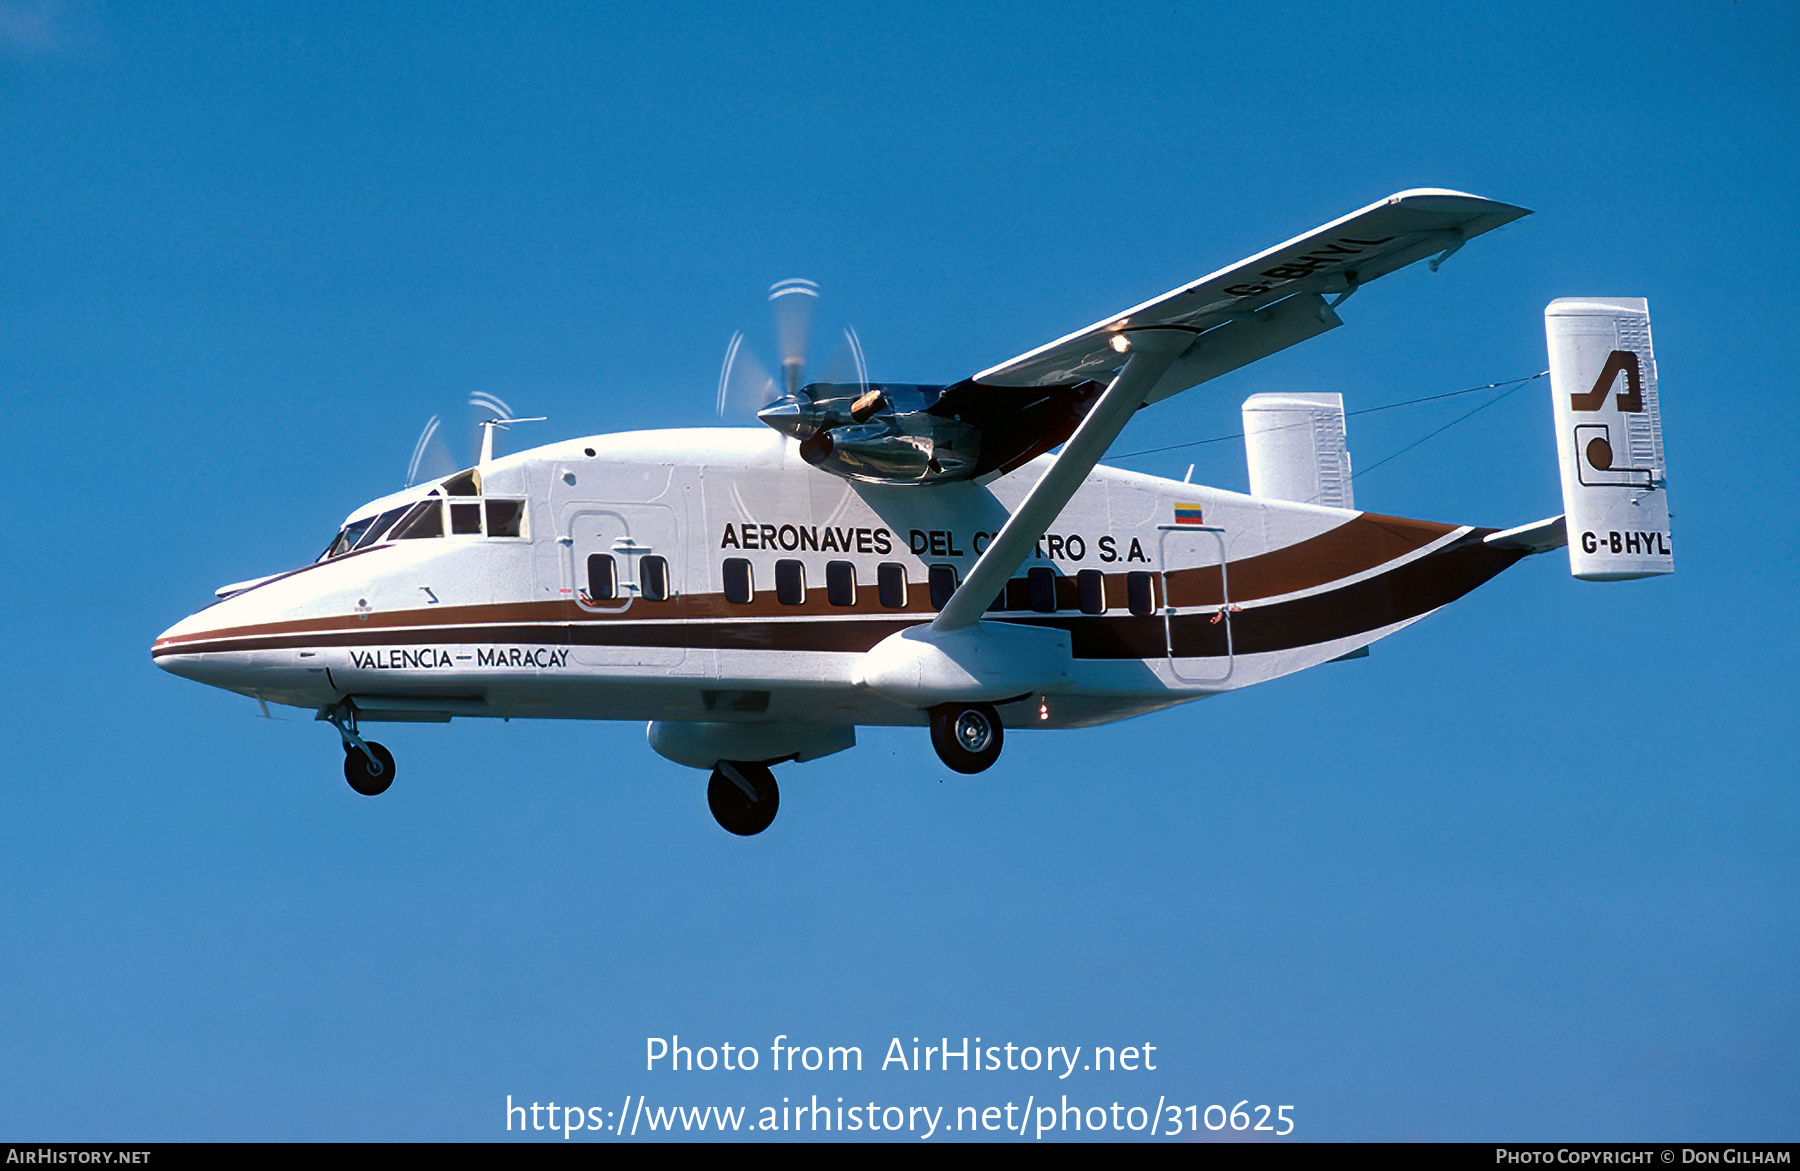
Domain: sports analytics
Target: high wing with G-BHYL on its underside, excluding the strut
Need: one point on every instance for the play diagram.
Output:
(1336, 258)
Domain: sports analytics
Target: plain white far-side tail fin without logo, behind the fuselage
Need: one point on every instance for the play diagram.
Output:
(1297, 449)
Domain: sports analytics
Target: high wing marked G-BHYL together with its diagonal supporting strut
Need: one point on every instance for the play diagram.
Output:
(1203, 330)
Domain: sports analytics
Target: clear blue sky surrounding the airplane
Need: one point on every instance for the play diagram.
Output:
(249, 249)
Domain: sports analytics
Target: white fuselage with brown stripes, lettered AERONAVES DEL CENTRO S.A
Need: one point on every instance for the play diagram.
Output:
(714, 577)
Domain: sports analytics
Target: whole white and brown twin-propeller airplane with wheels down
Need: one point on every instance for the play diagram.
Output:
(951, 557)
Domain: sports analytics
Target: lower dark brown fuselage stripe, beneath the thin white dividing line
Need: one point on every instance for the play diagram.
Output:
(1399, 594)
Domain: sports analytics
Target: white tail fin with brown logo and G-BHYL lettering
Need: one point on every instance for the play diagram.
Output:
(1610, 438)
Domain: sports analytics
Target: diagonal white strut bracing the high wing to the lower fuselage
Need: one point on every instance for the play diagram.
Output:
(1149, 355)
